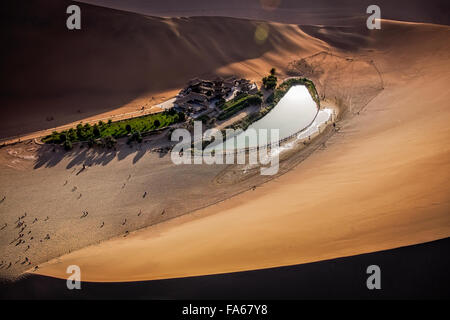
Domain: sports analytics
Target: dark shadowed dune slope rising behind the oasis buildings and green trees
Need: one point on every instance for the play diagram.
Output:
(51, 72)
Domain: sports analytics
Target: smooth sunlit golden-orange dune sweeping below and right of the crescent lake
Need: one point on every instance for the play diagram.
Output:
(381, 182)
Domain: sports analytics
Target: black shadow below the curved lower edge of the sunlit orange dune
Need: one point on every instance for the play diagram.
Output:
(412, 272)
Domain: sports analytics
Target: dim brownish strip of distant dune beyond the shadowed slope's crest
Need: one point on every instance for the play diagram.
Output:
(318, 12)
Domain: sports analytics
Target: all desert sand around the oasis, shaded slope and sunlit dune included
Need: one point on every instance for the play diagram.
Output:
(379, 182)
